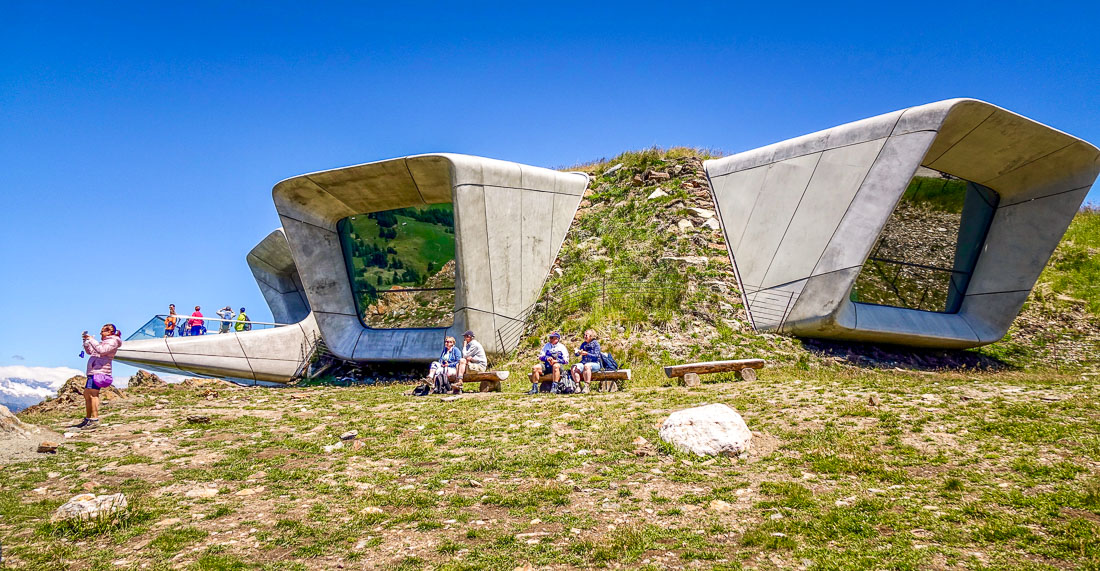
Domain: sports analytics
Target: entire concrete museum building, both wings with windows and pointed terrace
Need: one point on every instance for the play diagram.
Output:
(925, 227)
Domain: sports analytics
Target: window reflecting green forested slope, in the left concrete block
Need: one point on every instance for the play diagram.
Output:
(402, 267)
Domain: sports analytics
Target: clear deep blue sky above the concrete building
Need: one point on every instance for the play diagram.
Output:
(139, 142)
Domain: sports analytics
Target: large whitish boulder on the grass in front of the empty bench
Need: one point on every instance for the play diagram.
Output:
(708, 431)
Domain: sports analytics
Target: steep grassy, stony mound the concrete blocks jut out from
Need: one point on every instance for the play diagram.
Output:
(678, 298)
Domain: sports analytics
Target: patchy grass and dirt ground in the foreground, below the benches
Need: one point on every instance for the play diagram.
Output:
(945, 470)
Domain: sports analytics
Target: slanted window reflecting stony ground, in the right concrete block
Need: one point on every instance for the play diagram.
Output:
(928, 250)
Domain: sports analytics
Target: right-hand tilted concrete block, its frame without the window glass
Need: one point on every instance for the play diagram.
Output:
(801, 218)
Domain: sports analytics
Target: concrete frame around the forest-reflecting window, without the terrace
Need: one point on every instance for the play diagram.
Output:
(511, 219)
